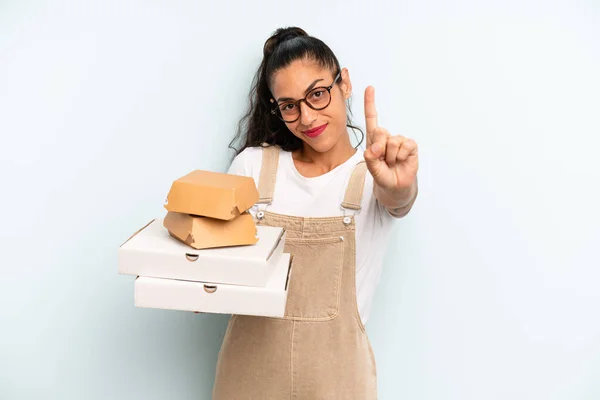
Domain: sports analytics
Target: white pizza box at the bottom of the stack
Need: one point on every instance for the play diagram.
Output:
(268, 301)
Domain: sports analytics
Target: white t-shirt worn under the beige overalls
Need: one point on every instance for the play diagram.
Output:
(322, 196)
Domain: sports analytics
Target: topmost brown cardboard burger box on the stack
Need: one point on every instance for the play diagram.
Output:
(212, 194)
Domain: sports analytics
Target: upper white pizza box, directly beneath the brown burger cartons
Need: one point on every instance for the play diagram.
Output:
(152, 252)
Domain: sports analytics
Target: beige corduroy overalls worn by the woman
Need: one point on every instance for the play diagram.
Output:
(319, 350)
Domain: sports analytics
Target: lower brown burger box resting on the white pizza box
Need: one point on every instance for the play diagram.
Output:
(203, 232)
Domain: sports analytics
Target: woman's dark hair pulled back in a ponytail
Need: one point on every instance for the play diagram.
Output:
(259, 125)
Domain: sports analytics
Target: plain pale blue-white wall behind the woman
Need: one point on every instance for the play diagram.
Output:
(490, 288)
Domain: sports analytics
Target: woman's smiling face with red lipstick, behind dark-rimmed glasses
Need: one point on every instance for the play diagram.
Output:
(319, 129)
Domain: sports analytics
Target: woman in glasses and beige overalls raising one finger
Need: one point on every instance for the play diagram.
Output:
(337, 205)
